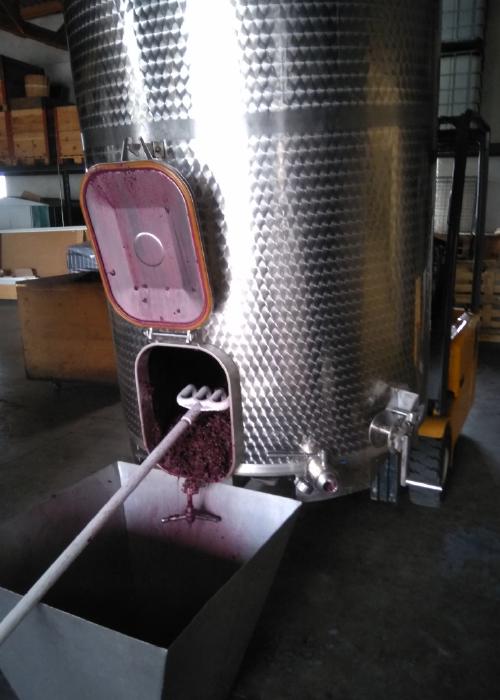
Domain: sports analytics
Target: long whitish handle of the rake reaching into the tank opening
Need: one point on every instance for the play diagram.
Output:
(73, 550)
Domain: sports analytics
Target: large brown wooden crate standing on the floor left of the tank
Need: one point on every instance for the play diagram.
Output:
(66, 329)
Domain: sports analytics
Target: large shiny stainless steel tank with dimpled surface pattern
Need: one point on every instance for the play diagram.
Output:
(305, 130)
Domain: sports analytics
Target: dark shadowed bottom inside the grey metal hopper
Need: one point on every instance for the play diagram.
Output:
(149, 589)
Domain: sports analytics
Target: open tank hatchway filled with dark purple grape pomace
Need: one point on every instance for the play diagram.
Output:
(205, 453)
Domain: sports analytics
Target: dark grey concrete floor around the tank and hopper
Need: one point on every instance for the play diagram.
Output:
(371, 602)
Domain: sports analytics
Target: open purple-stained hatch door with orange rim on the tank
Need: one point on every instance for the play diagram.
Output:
(142, 222)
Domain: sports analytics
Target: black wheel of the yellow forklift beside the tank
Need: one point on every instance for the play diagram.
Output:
(428, 464)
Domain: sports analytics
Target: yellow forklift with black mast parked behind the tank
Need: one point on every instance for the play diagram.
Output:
(454, 330)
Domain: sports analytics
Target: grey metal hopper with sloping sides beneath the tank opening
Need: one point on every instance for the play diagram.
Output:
(148, 610)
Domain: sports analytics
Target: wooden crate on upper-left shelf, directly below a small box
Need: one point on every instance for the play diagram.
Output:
(30, 135)
